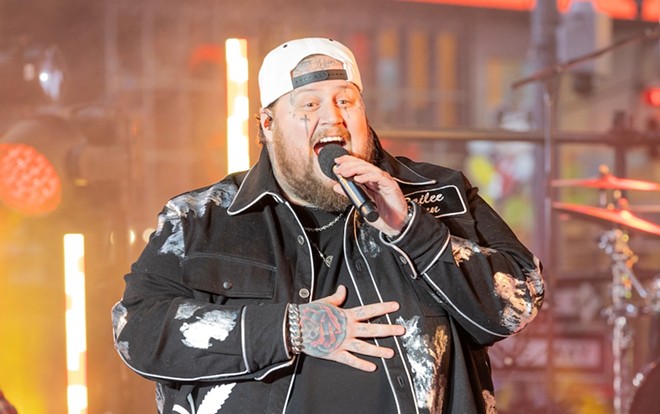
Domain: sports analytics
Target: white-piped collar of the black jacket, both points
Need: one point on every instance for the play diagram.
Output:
(260, 183)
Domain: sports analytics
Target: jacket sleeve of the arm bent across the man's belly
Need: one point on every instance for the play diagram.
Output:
(167, 331)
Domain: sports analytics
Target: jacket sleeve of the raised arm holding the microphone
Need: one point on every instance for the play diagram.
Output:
(488, 281)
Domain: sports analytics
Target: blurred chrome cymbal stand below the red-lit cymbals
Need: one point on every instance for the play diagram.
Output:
(615, 244)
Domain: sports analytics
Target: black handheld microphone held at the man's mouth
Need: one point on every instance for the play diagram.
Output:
(354, 191)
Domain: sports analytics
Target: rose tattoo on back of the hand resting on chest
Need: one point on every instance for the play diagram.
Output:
(324, 328)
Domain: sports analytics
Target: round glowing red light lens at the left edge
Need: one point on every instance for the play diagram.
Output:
(29, 182)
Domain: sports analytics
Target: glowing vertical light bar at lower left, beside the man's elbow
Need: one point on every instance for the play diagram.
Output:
(76, 332)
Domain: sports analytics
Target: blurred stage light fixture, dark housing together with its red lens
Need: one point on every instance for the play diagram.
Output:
(50, 161)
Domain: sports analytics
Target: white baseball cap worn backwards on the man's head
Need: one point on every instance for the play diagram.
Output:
(275, 78)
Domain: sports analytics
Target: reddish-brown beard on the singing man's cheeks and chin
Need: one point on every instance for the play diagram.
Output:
(301, 178)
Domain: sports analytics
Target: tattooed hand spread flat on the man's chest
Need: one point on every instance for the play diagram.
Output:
(332, 333)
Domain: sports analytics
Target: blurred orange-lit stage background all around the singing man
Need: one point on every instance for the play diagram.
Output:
(109, 108)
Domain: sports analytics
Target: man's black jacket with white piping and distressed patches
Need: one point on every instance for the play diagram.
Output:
(203, 313)
